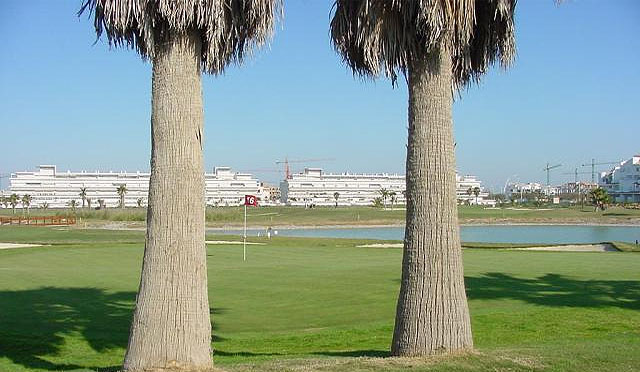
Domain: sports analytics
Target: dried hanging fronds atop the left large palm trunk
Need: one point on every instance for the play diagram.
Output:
(229, 28)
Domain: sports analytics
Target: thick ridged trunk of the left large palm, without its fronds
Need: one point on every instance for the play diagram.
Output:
(172, 326)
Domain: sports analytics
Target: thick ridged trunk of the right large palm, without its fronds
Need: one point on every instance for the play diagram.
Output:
(432, 315)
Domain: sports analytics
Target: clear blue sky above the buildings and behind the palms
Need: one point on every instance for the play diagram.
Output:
(573, 94)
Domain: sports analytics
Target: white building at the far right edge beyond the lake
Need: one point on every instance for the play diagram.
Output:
(623, 181)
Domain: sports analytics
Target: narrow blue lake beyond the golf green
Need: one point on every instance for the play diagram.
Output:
(543, 234)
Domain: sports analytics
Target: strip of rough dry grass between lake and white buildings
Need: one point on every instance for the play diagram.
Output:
(282, 216)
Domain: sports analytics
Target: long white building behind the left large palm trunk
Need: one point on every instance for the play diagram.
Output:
(57, 189)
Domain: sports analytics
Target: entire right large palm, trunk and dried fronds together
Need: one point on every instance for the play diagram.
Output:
(439, 46)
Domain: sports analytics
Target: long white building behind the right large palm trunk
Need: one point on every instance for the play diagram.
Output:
(314, 187)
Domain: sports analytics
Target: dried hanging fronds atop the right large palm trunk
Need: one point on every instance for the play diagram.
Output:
(382, 36)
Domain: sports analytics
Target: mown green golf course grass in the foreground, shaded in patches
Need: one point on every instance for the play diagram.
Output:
(320, 303)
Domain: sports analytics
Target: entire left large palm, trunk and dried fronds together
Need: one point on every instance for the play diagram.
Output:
(171, 325)
